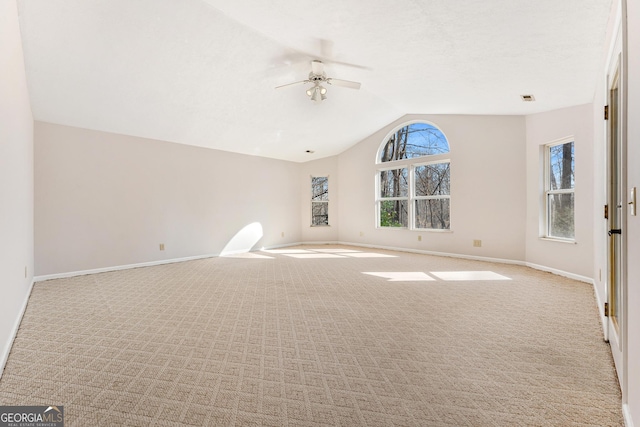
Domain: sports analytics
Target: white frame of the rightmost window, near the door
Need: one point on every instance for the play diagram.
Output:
(547, 191)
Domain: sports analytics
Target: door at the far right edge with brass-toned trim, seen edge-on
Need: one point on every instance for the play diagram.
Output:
(616, 218)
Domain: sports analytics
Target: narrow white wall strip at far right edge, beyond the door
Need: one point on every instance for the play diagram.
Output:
(633, 223)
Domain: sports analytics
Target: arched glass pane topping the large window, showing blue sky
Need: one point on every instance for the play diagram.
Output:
(414, 140)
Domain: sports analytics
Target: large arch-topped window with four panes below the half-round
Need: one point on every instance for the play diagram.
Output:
(416, 193)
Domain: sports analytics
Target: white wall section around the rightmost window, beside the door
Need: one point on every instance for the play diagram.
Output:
(542, 129)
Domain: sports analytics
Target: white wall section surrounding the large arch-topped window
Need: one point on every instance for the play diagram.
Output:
(487, 189)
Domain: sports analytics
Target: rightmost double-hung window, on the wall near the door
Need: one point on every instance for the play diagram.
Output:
(559, 190)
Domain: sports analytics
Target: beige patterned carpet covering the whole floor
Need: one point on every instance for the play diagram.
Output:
(306, 338)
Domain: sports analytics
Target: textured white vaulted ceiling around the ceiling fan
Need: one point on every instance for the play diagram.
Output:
(203, 72)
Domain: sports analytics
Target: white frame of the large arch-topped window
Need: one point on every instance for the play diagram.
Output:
(410, 164)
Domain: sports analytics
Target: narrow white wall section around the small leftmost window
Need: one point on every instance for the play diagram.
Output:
(322, 167)
